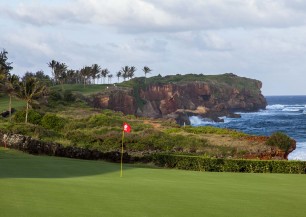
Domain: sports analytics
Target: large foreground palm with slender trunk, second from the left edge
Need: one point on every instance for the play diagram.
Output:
(29, 90)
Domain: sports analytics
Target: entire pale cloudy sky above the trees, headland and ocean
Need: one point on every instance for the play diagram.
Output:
(259, 39)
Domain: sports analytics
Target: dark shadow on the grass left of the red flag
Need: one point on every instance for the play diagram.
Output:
(15, 164)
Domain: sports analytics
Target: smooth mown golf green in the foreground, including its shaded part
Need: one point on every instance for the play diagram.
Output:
(49, 186)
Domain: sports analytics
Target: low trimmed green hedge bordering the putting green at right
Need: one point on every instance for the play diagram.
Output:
(229, 165)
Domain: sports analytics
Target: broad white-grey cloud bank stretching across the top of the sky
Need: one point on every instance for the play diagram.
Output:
(163, 16)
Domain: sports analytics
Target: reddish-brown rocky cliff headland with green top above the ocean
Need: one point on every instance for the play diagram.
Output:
(178, 96)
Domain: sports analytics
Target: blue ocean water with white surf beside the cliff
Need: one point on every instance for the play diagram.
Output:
(283, 113)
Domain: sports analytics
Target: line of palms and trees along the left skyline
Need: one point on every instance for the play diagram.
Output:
(33, 86)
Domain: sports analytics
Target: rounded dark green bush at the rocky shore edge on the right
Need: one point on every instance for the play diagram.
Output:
(280, 140)
